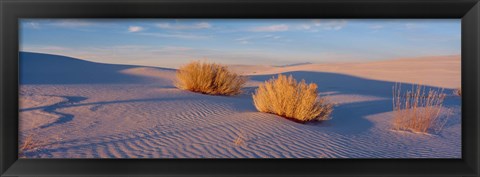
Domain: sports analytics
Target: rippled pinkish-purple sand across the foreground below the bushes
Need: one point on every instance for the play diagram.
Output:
(114, 121)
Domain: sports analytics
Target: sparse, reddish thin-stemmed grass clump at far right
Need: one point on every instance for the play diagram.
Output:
(417, 110)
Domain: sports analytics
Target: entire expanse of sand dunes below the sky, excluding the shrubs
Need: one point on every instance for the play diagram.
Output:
(80, 109)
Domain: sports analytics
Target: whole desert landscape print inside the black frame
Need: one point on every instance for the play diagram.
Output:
(231, 88)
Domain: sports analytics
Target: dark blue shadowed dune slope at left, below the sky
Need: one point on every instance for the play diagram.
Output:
(37, 68)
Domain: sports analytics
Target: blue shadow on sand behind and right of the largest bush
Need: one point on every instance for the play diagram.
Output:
(354, 113)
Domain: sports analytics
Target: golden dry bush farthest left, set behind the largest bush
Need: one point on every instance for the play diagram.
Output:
(209, 78)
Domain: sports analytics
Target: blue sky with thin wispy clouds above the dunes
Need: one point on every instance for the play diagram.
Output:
(172, 42)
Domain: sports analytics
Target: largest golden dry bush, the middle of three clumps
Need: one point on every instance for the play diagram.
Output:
(288, 98)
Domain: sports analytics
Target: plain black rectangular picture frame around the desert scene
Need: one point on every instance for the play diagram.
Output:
(13, 10)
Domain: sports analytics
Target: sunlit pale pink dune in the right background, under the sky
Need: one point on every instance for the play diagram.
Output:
(438, 71)
